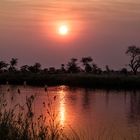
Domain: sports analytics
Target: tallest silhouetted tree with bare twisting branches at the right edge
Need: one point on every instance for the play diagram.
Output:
(134, 53)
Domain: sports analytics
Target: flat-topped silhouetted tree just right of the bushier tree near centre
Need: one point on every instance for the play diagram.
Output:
(86, 62)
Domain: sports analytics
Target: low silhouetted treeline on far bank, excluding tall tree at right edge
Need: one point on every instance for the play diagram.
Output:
(85, 65)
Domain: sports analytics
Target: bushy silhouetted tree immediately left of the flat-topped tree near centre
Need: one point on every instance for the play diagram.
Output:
(72, 66)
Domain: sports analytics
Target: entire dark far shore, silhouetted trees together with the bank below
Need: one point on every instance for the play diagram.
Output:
(88, 74)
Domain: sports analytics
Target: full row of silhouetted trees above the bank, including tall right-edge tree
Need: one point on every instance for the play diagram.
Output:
(85, 65)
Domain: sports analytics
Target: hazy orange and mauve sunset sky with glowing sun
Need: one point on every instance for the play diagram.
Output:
(30, 30)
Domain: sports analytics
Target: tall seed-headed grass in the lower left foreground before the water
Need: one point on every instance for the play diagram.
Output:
(21, 123)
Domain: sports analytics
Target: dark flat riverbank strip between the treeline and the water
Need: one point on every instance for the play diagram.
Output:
(78, 80)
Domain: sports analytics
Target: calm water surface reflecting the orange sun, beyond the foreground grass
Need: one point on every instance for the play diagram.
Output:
(93, 112)
